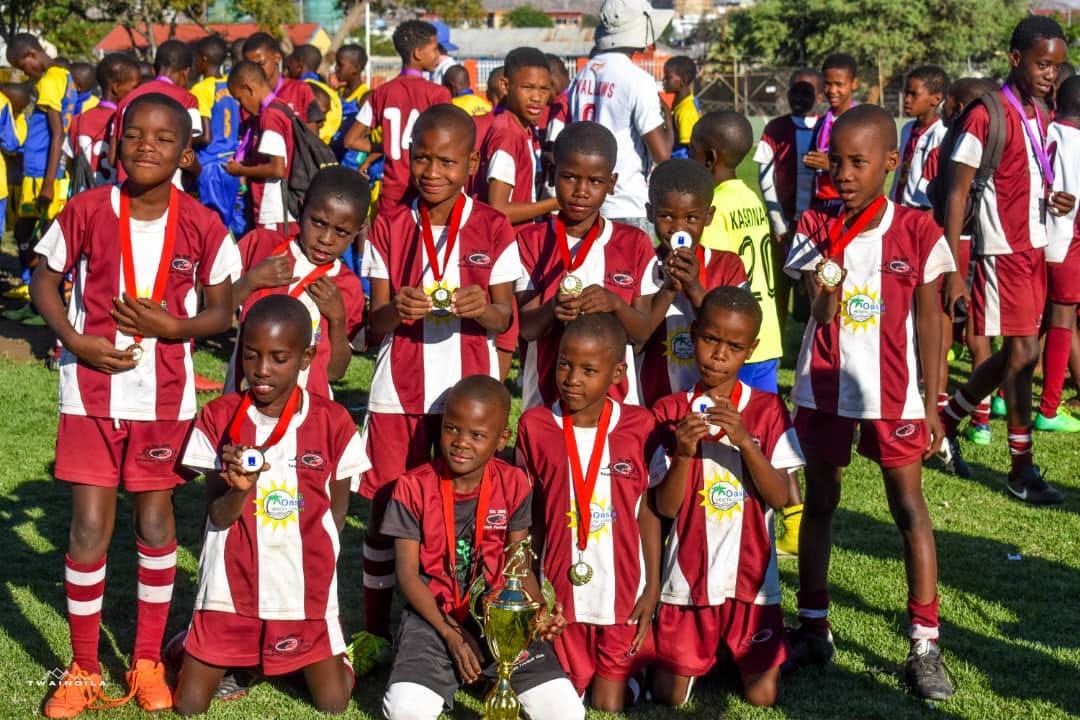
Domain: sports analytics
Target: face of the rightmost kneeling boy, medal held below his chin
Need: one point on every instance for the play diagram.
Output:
(723, 343)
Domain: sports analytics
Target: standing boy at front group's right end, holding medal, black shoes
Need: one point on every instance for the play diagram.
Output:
(872, 278)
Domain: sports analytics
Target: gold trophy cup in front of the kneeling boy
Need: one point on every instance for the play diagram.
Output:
(510, 621)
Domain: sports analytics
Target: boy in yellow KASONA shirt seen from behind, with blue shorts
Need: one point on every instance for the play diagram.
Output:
(741, 226)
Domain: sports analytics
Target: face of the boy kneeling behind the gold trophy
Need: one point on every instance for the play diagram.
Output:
(472, 432)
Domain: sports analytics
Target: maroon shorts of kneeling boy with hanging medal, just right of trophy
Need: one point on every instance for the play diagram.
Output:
(586, 651)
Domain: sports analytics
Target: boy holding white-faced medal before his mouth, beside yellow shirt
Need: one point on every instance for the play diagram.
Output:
(681, 207)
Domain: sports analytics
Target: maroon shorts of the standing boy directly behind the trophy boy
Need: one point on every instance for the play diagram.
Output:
(395, 444)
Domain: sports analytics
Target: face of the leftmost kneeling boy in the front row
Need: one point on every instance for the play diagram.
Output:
(273, 357)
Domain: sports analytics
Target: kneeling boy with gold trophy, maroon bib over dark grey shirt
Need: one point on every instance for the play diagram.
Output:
(452, 521)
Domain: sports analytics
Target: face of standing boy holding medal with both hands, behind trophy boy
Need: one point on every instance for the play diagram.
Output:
(441, 160)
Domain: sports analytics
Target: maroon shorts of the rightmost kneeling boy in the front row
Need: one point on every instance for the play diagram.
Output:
(690, 639)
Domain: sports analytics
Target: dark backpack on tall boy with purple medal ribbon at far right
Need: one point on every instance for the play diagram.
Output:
(939, 187)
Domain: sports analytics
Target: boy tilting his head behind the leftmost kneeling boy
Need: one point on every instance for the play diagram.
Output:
(309, 268)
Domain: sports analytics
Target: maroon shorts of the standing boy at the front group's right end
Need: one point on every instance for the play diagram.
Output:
(888, 443)
